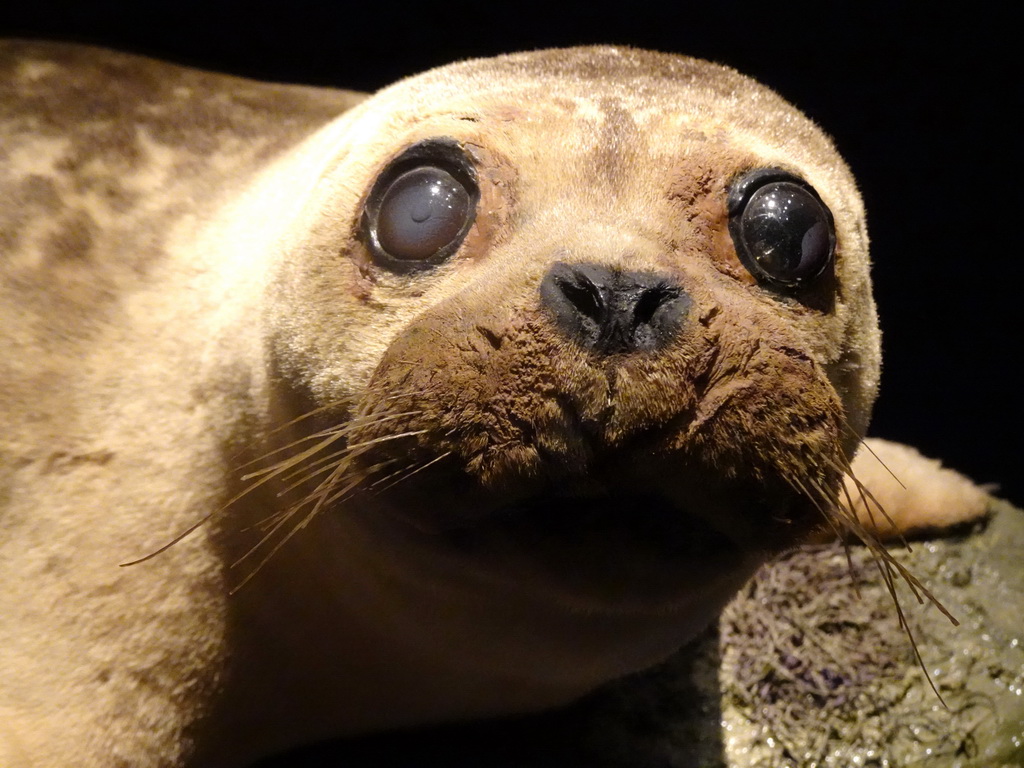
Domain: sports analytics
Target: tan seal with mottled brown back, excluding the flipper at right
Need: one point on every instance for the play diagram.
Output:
(456, 401)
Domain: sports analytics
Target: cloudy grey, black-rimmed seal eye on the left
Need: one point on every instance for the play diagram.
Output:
(421, 206)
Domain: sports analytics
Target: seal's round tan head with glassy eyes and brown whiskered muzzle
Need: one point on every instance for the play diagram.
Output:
(595, 330)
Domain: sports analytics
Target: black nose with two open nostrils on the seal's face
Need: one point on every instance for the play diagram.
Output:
(611, 311)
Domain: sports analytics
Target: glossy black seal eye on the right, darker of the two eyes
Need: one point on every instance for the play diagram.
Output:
(784, 233)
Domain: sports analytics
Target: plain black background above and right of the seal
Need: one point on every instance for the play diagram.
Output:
(918, 102)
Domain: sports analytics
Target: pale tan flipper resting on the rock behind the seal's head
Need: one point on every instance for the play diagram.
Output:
(918, 494)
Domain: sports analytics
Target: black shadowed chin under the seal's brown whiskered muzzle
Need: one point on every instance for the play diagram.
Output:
(611, 550)
